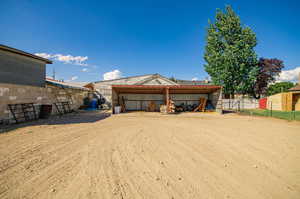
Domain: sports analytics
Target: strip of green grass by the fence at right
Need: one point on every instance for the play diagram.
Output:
(286, 115)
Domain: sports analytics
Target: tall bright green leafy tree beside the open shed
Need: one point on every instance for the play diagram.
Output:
(229, 53)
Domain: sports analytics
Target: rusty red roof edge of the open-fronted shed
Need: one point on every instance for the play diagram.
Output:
(160, 89)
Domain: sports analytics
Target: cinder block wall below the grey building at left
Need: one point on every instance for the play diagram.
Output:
(15, 94)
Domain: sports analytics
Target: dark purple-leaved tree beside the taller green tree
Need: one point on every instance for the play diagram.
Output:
(269, 69)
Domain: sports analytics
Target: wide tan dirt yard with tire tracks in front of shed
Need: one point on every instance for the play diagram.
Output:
(149, 155)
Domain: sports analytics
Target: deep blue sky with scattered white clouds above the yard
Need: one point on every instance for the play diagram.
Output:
(96, 40)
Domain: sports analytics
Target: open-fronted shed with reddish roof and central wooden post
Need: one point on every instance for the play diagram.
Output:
(137, 97)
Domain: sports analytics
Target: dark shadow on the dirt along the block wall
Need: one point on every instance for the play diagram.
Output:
(71, 118)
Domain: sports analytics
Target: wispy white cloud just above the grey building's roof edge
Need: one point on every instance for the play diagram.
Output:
(66, 59)
